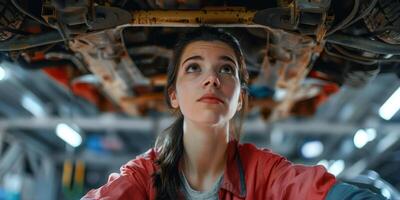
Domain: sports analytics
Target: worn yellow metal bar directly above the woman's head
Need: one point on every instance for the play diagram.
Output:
(221, 17)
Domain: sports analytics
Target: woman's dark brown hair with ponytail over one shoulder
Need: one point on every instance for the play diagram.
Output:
(170, 142)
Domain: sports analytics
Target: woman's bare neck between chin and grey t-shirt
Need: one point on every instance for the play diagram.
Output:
(205, 153)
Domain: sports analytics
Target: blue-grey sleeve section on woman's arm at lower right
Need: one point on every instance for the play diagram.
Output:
(343, 191)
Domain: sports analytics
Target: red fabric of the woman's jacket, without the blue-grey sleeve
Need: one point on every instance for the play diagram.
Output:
(250, 173)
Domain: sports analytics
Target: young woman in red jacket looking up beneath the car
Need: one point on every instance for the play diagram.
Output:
(198, 156)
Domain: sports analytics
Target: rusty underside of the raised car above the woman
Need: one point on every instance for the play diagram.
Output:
(115, 53)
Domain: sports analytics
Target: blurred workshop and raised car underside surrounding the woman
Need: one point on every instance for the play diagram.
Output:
(81, 95)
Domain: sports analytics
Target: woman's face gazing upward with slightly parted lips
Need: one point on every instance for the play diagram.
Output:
(207, 86)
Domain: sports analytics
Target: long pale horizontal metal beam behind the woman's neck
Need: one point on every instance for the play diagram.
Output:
(317, 127)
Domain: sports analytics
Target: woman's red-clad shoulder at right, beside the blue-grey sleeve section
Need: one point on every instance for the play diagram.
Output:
(282, 178)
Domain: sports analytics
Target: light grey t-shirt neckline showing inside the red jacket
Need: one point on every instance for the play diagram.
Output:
(191, 194)
